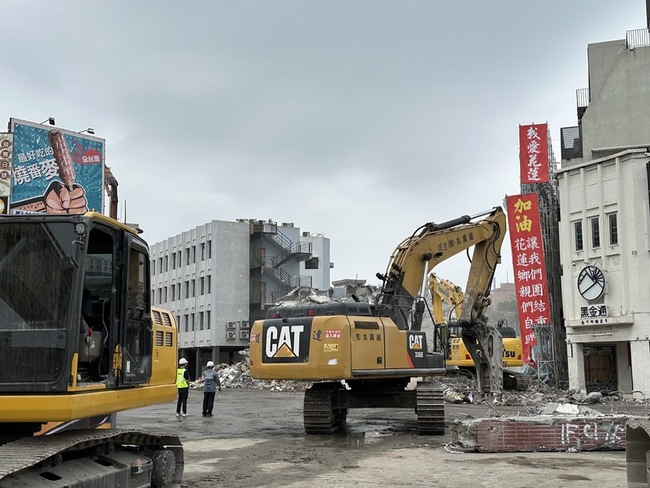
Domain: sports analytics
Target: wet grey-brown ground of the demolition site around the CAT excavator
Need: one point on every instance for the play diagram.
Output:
(256, 439)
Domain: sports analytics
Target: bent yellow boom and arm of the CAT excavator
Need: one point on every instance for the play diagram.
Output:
(430, 245)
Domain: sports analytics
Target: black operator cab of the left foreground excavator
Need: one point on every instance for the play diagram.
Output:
(61, 308)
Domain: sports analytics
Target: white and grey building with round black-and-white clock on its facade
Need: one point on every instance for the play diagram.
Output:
(605, 221)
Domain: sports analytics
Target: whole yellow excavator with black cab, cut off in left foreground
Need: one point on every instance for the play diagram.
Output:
(80, 341)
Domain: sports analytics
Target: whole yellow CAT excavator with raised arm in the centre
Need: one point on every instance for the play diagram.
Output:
(361, 355)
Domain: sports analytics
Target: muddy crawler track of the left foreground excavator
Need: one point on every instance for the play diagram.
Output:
(84, 458)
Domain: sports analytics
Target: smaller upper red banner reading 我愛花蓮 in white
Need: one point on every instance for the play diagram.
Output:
(533, 153)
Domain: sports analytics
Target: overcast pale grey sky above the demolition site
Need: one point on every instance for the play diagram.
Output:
(360, 120)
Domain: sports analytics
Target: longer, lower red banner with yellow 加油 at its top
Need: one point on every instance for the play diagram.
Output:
(529, 267)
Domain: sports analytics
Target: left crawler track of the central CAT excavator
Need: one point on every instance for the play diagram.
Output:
(320, 416)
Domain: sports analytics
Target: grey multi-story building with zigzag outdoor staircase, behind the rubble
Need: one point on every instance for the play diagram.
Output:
(219, 277)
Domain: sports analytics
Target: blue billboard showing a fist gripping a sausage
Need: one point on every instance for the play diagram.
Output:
(55, 171)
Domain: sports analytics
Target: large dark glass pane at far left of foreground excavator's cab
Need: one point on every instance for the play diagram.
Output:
(37, 268)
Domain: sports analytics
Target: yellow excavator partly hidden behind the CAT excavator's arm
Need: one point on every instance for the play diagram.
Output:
(444, 291)
